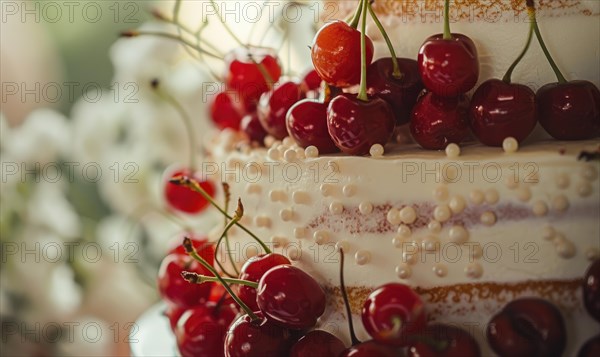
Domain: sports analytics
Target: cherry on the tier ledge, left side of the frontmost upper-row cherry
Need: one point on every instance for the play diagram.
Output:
(307, 124)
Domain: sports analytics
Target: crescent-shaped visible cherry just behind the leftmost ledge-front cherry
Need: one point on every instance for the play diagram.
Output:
(274, 105)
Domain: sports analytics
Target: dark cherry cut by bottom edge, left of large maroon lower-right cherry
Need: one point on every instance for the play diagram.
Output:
(441, 340)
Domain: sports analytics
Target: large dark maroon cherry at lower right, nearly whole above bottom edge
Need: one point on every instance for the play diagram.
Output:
(527, 327)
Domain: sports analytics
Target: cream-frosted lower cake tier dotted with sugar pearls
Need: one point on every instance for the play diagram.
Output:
(469, 233)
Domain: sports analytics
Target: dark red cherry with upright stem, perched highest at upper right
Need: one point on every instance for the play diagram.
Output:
(448, 67)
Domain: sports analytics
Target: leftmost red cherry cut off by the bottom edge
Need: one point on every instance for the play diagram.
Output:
(201, 330)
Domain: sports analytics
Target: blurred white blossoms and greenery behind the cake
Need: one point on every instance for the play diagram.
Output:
(84, 144)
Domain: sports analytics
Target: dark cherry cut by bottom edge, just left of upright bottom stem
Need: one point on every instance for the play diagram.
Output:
(317, 343)
